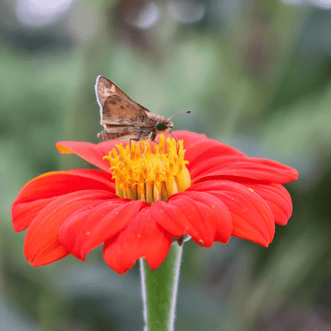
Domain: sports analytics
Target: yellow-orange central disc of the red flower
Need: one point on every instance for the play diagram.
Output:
(143, 175)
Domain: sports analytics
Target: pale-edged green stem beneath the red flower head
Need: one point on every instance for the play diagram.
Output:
(159, 291)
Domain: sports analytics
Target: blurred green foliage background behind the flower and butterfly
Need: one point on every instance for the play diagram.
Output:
(256, 75)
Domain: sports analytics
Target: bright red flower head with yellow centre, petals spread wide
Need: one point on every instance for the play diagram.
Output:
(224, 193)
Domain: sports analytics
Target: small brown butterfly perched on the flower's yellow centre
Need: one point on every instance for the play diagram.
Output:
(121, 116)
